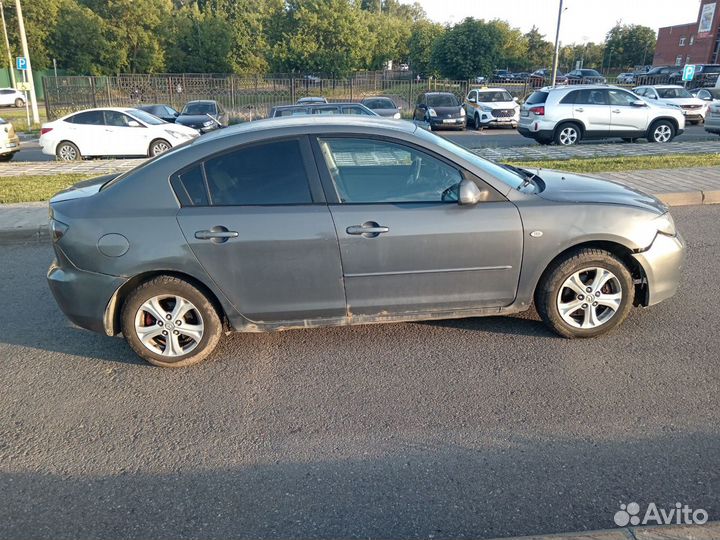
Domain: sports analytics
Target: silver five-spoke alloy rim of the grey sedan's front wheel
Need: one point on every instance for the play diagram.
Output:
(589, 298)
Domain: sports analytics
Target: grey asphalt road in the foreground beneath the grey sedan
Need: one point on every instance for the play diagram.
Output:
(461, 429)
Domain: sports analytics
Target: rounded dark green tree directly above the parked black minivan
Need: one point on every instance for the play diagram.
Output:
(468, 49)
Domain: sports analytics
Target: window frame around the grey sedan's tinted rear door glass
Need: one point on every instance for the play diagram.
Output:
(317, 195)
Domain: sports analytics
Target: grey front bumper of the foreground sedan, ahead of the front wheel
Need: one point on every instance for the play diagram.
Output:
(662, 264)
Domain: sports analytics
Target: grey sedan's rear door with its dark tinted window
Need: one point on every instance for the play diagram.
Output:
(256, 219)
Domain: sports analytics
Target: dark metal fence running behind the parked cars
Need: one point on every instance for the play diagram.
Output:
(248, 98)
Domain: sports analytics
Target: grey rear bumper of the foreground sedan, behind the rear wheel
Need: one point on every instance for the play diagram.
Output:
(82, 296)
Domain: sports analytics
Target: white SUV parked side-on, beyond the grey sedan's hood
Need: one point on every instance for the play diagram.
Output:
(567, 114)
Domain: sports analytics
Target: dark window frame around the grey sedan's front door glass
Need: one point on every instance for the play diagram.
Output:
(330, 190)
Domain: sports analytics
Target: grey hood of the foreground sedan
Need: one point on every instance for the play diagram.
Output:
(567, 187)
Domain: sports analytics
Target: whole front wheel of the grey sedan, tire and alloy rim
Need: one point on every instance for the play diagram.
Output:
(571, 279)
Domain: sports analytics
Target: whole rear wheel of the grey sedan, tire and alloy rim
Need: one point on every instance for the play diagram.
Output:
(165, 344)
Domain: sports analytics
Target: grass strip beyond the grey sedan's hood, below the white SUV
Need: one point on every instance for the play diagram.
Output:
(619, 164)
